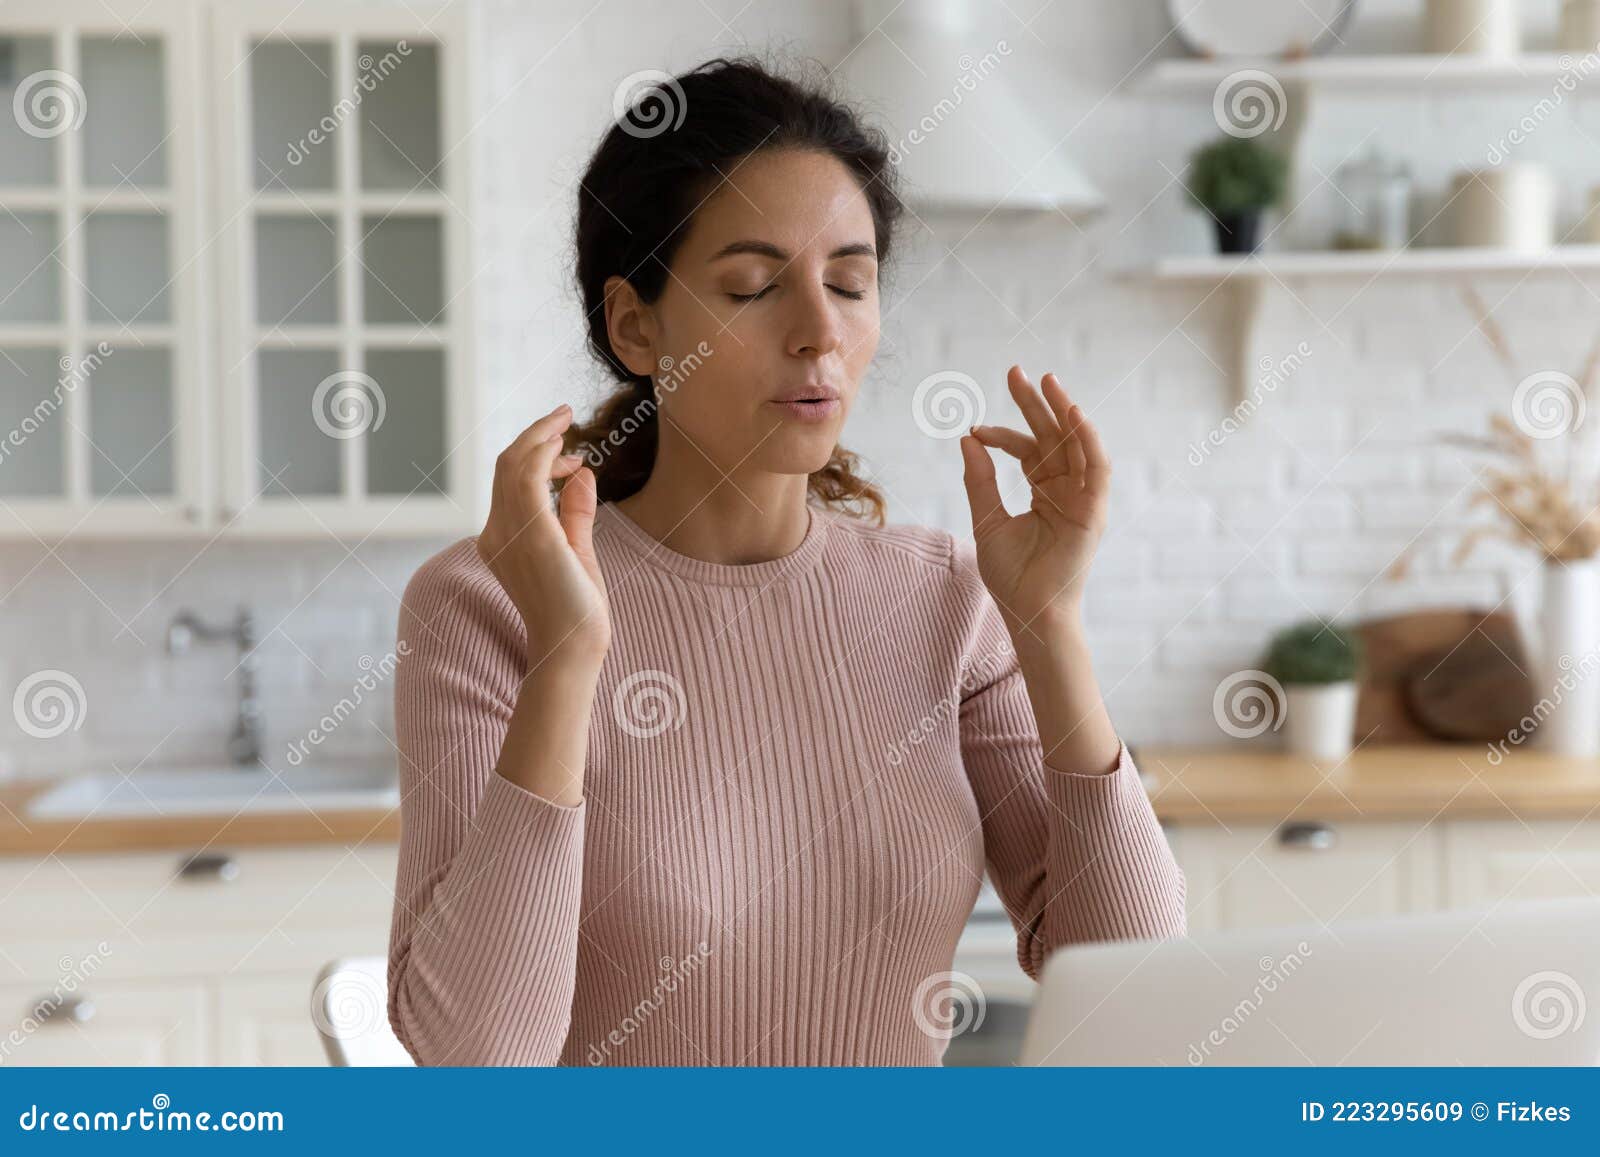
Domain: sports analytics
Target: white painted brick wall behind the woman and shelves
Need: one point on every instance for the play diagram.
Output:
(1294, 514)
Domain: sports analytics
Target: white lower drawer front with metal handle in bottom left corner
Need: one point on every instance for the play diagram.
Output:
(103, 1023)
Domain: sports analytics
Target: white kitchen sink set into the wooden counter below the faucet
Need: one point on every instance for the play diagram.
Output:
(209, 791)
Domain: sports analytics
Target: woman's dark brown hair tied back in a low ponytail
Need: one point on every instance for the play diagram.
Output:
(662, 159)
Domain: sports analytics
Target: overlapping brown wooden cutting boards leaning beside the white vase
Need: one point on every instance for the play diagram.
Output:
(1460, 676)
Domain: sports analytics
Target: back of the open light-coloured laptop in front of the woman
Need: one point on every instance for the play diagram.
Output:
(1511, 985)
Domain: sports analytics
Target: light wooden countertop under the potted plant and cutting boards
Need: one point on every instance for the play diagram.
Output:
(1222, 785)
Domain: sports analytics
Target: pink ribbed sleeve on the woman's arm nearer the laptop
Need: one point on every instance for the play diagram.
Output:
(1076, 857)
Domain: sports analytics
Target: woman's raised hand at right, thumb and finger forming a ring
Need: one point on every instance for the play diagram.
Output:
(1036, 562)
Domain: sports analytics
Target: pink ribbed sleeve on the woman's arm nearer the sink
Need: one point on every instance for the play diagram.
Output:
(484, 940)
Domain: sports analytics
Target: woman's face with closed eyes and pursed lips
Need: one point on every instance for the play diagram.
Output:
(770, 316)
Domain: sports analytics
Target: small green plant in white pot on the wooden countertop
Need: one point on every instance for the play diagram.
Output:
(1318, 667)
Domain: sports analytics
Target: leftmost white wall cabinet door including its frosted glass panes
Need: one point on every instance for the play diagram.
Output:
(105, 423)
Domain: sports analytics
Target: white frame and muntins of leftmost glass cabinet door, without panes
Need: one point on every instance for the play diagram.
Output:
(79, 513)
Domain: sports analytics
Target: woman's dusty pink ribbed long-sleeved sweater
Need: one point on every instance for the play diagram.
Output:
(798, 774)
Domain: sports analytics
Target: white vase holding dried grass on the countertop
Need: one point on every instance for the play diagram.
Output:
(1569, 689)
